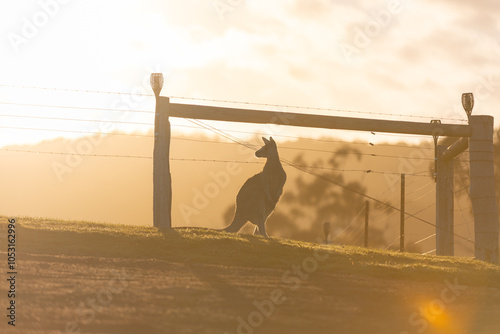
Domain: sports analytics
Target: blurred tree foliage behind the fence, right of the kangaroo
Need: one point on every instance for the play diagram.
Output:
(301, 212)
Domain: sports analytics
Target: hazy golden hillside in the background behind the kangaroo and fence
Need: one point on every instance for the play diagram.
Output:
(69, 187)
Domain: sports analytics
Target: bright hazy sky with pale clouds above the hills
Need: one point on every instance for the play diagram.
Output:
(404, 60)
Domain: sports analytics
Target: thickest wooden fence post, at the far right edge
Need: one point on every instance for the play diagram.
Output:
(482, 188)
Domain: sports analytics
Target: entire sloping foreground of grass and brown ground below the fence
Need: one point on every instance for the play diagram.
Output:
(81, 277)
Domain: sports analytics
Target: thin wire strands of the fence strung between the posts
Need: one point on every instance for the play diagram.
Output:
(227, 137)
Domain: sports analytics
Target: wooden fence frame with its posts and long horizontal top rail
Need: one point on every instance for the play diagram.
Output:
(479, 129)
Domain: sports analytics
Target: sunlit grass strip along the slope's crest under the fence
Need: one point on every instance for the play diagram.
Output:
(193, 245)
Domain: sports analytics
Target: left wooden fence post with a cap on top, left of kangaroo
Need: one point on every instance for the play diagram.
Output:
(162, 181)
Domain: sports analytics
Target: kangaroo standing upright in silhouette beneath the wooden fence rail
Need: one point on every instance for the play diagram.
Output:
(258, 196)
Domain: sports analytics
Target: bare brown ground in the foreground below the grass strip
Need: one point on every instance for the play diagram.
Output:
(63, 294)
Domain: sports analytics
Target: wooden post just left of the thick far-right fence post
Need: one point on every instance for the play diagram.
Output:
(444, 204)
